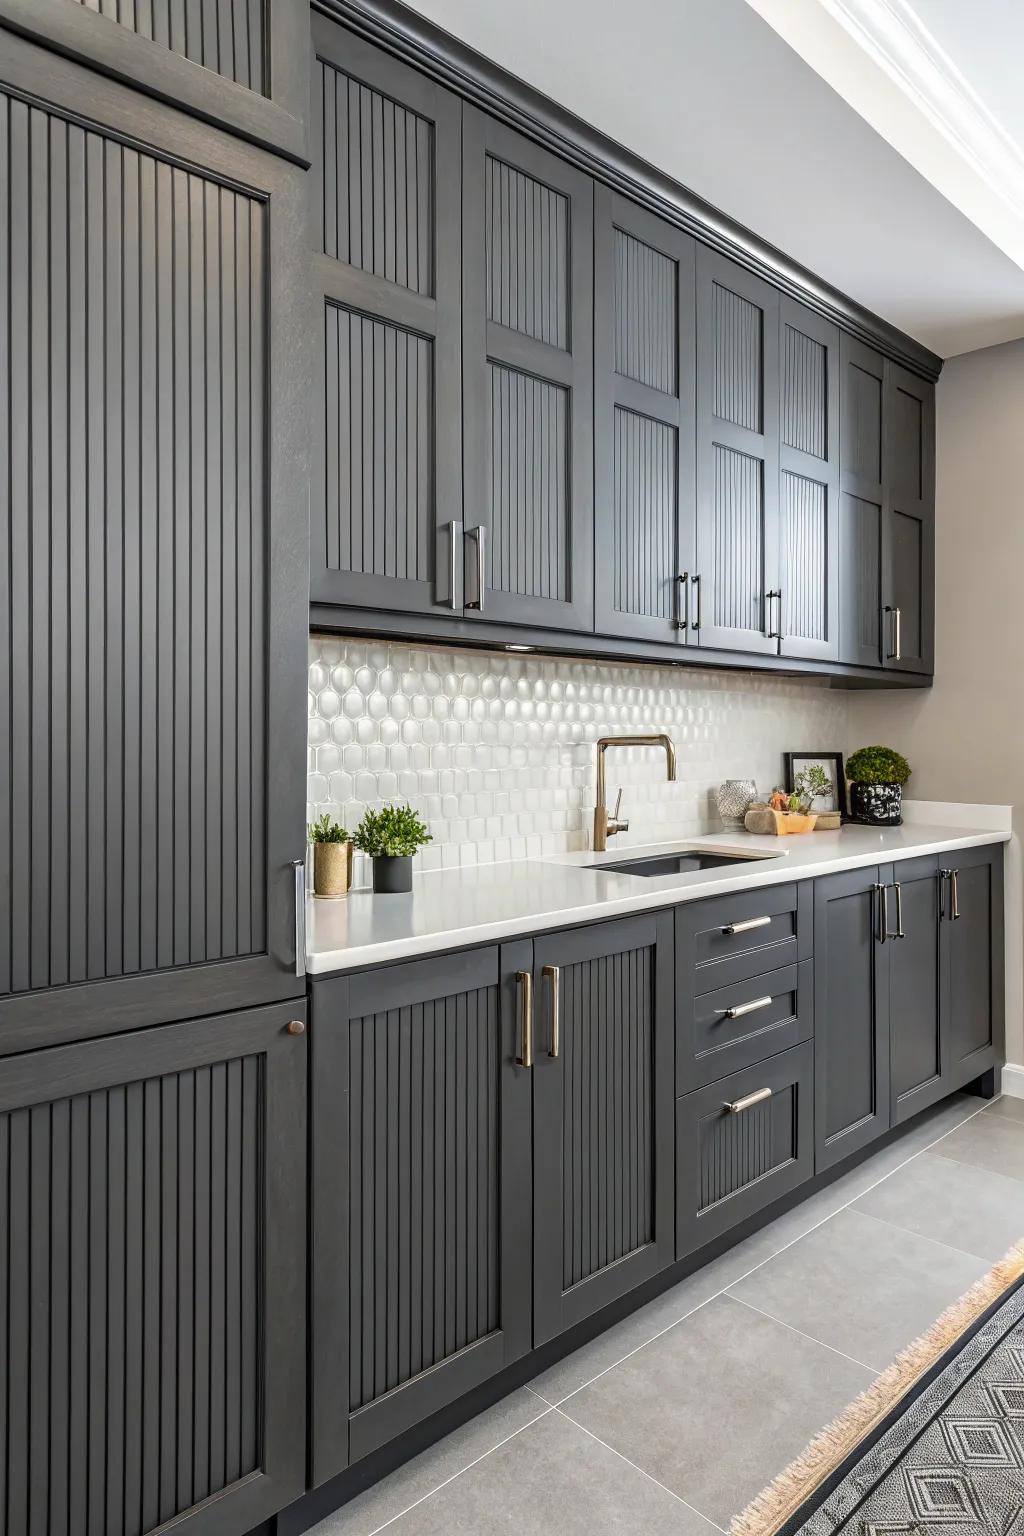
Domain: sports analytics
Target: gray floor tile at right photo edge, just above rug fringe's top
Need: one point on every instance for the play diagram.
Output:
(968, 1208)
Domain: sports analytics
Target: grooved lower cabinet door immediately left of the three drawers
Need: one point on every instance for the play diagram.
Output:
(603, 1116)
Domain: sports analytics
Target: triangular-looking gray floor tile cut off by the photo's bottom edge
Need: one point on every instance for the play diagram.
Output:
(553, 1480)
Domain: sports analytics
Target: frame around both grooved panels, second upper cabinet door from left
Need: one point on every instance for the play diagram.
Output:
(569, 369)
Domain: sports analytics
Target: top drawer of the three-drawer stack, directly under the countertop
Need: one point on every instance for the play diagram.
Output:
(733, 938)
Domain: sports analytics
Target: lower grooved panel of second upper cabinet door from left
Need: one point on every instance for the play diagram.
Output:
(529, 551)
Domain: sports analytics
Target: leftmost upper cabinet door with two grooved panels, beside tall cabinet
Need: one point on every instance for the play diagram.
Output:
(386, 219)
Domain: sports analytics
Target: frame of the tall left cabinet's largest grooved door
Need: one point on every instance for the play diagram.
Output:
(42, 1018)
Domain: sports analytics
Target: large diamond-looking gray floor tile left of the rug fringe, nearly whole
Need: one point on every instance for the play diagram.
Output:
(719, 1405)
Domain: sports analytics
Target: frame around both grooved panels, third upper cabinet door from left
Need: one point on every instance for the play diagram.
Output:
(675, 411)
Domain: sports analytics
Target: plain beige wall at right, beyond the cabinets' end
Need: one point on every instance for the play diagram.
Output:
(965, 737)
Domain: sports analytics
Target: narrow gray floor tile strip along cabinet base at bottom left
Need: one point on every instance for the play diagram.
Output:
(435, 1466)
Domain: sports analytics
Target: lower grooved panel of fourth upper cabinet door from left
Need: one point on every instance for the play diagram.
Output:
(739, 540)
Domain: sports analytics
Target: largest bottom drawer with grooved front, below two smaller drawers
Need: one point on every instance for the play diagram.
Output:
(733, 1164)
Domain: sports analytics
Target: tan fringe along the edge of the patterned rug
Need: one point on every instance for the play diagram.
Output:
(784, 1497)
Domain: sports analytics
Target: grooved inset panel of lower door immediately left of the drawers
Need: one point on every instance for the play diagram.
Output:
(607, 1134)
